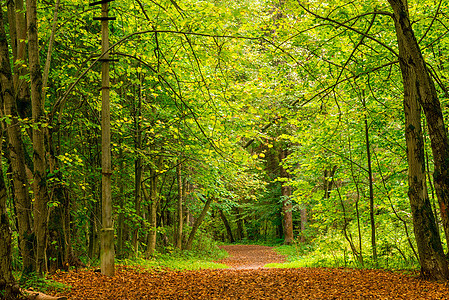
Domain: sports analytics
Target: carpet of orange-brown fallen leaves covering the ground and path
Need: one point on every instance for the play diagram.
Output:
(247, 279)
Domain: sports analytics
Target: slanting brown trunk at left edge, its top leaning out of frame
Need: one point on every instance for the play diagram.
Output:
(16, 156)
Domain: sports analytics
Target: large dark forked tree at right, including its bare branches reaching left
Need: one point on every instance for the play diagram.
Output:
(412, 63)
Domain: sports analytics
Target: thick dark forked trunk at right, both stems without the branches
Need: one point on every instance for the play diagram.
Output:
(420, 90)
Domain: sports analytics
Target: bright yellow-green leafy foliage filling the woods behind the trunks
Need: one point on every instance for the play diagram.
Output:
(221, 87)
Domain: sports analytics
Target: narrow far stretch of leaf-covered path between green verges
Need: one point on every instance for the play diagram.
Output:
(247, 257)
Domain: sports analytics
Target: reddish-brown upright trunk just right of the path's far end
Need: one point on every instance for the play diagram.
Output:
(287, 207)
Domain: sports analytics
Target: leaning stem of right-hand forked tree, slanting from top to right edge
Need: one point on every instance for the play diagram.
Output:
(418, 82)
